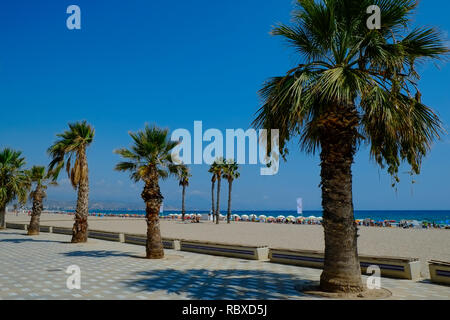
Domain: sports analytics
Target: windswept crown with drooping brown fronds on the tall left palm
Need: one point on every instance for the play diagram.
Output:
(72, 145)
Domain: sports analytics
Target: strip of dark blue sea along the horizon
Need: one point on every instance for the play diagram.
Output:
(440, 217)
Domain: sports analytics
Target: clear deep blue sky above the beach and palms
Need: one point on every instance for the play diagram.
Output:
(172, 63)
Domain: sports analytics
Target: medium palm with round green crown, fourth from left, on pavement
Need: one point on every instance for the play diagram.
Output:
(149, 160)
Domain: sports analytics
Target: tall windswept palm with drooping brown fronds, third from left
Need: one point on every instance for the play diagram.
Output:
(71, 146)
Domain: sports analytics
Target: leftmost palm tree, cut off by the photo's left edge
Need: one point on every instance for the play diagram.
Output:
(14, 183)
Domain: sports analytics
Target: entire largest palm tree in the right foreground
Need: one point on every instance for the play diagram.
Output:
(354, 85)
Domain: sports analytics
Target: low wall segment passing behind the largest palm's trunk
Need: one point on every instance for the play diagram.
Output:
(402, 268)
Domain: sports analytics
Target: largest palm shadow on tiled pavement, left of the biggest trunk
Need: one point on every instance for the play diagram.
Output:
(202, 284)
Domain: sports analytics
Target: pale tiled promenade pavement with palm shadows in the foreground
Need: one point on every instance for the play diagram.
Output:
(34, 268)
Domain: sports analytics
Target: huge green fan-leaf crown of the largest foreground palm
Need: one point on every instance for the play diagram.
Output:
(370, 72)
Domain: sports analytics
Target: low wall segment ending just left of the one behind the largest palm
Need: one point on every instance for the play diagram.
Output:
(220, 249)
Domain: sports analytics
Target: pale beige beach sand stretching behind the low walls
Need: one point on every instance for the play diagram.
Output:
(426, 244)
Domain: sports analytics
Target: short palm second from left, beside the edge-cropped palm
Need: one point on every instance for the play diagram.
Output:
(42, 179)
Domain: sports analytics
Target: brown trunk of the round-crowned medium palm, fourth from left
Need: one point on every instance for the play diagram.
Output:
(153, 200)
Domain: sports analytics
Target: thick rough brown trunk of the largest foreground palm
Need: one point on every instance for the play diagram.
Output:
(342, 272)
